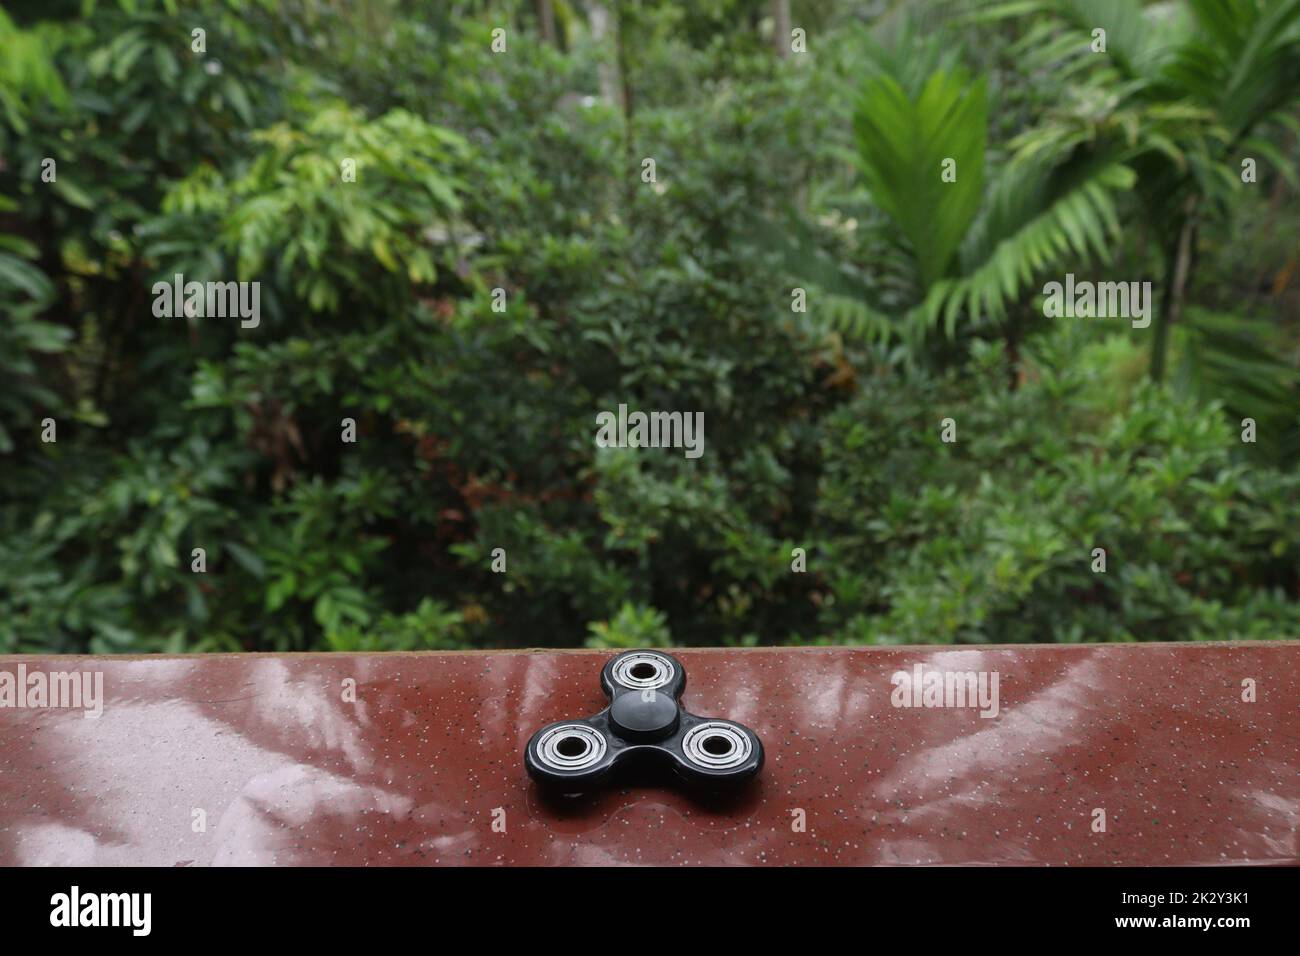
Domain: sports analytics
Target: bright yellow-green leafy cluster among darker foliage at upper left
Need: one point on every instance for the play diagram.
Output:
(326, 240)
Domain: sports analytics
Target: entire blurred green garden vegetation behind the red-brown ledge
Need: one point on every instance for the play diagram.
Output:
(777, 170)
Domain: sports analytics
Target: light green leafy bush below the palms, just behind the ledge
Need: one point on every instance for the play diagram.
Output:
(990, 539)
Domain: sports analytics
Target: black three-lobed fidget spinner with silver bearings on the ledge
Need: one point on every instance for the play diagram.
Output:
(645, 724)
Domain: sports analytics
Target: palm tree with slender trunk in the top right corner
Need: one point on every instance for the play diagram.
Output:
(1178, 94)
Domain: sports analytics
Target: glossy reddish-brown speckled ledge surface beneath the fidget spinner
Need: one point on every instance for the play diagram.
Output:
(287, 772)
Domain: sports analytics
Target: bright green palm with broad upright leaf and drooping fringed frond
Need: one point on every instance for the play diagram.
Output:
(922, 157)
